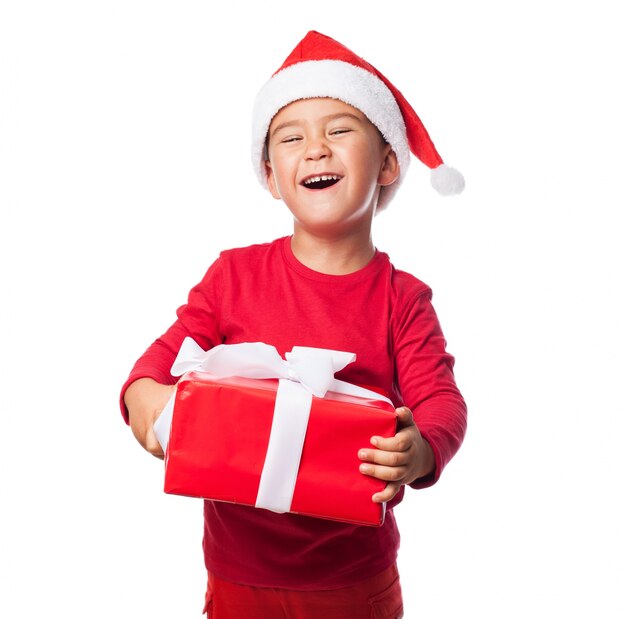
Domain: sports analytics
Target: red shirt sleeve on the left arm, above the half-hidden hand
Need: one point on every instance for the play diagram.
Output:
(199, 318)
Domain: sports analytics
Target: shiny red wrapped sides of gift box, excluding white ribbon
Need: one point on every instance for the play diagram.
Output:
(219, 439)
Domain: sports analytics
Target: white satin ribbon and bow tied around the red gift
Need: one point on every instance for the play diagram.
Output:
(305, 372)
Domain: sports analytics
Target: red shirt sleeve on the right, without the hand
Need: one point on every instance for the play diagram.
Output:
(425, 380)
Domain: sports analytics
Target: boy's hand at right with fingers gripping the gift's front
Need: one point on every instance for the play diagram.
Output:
(400, 459)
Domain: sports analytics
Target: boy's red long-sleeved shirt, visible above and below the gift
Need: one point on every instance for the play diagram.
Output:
(263, 293)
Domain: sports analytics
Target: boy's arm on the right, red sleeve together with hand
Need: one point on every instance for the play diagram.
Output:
(429, 436)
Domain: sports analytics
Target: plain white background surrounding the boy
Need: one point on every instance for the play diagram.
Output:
(124, 169)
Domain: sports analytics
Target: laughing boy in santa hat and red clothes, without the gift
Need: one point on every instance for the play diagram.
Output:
(331, 139)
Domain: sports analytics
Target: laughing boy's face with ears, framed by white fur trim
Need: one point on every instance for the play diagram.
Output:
(327, 162)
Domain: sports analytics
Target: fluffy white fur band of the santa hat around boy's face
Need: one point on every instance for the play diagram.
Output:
(338, 80)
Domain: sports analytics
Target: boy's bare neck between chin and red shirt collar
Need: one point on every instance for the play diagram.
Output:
(332, 256)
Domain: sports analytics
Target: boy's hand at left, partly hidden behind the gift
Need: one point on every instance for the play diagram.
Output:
(145, 400)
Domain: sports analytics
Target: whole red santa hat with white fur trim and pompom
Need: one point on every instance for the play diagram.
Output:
(321, 67)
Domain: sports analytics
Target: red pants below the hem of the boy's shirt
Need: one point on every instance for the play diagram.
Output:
(379, 597)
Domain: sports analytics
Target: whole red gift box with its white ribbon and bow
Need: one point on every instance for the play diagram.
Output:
(271, 443)
